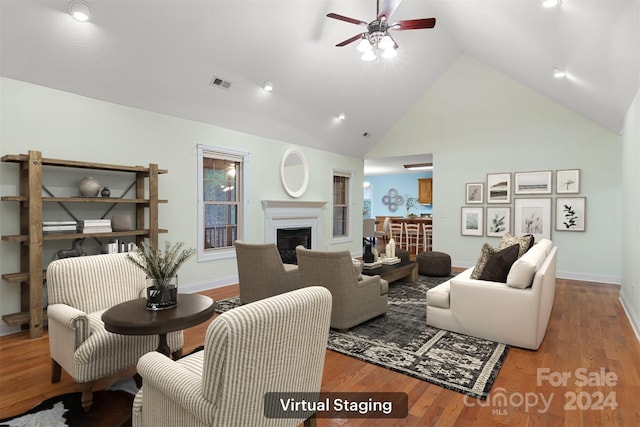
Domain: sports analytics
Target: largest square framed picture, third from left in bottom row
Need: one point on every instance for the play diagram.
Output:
(533, 216)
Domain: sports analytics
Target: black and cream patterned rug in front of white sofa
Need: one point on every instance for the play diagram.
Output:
(402, 341)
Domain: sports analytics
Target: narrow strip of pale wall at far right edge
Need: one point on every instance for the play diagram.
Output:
(630, 291)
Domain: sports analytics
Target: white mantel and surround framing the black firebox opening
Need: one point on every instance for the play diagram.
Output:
(279, 214)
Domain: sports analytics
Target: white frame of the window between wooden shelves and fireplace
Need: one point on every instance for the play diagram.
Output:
(210, 151)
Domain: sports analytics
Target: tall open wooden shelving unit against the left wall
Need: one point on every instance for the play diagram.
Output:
(31, 238)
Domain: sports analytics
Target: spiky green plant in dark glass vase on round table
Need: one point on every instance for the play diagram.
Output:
(161, 268)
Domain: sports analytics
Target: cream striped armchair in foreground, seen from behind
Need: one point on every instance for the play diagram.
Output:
(277, 344)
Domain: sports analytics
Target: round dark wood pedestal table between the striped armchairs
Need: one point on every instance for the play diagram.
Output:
(133, 318)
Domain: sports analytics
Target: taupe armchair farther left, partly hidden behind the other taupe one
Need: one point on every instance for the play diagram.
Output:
(261, 272)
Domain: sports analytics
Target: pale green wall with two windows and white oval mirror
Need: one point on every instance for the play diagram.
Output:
(68, 126)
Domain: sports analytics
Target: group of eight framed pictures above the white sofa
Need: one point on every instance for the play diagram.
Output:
(521, 203)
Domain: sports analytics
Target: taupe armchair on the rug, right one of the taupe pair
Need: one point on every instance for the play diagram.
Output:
(354, 300)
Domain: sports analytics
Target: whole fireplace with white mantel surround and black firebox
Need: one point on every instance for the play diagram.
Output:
(292, 223)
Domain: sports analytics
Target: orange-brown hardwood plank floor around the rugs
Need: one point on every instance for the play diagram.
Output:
(589, 339)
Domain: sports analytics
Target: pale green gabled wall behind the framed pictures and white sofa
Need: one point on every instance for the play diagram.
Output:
(477, 121)
